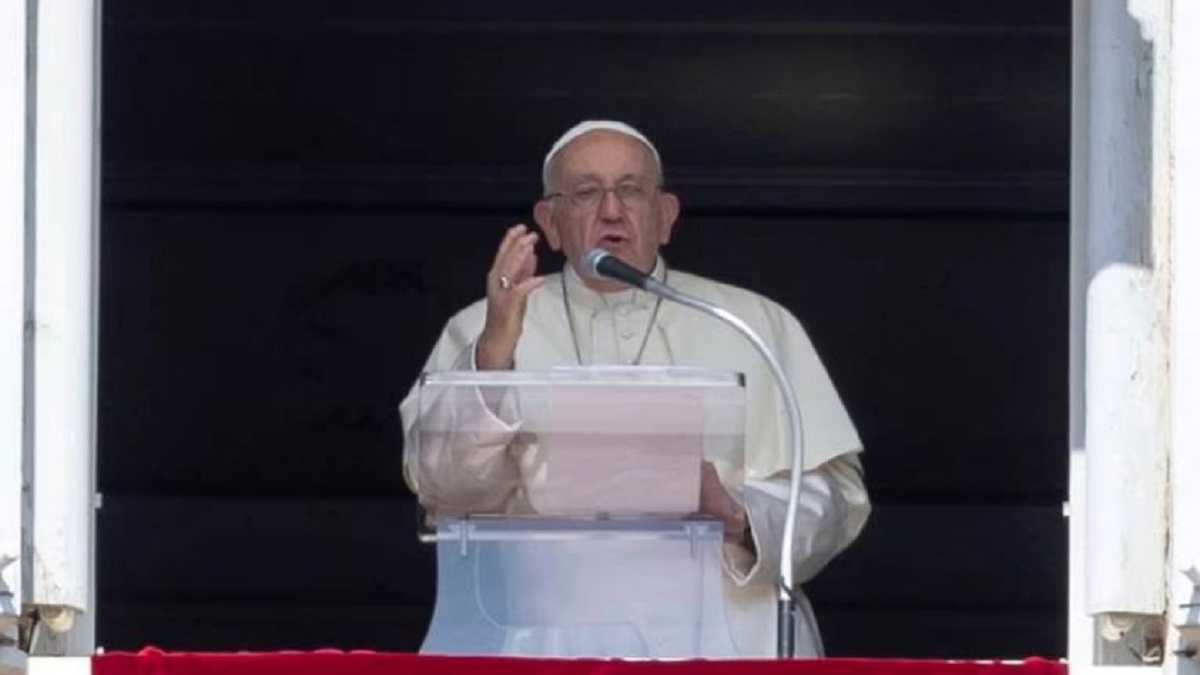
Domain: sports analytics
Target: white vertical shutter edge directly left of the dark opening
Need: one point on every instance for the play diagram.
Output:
(67, 140)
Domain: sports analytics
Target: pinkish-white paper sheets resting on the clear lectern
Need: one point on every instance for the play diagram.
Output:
(620, 451)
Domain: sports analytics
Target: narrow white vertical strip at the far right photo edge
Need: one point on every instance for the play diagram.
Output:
(1185, 313)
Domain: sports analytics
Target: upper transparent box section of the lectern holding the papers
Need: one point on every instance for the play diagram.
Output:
(614, 441)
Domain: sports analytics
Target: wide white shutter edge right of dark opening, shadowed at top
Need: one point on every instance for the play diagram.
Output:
(1120, 384)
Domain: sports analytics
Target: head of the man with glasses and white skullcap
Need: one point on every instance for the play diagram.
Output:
(608, 198)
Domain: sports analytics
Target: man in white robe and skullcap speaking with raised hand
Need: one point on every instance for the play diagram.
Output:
(604, 189)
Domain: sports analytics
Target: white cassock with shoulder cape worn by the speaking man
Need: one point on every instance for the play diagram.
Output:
(633, 327)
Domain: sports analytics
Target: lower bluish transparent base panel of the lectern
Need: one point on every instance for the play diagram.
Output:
(575, 588)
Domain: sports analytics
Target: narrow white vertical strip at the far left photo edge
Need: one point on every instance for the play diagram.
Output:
(13, 321)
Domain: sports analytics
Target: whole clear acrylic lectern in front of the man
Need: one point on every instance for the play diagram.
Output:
(563, 509)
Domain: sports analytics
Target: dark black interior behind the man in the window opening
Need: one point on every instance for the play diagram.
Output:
(298, 195)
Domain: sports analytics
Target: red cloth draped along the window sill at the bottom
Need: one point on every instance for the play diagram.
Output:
(157, 662)
